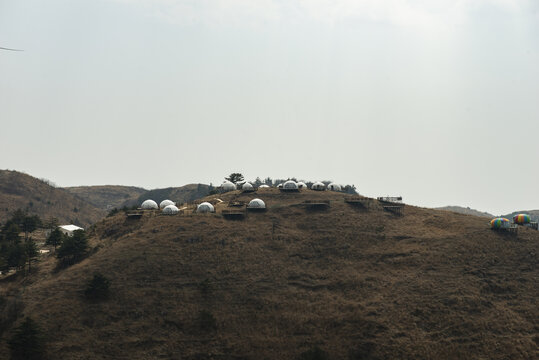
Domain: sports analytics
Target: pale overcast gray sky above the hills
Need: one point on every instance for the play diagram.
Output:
(437, 101)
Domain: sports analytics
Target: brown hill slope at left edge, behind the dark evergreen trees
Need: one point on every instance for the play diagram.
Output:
(22, 191)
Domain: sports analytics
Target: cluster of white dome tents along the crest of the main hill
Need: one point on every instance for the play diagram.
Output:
(169, 207)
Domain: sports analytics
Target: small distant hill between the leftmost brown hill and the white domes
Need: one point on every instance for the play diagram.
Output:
(107, 197)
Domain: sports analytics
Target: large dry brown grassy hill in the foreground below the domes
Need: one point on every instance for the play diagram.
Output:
(358, 283)
